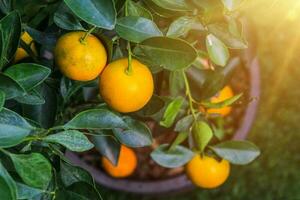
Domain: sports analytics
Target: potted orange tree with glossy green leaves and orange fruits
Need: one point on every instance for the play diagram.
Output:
(143, 56)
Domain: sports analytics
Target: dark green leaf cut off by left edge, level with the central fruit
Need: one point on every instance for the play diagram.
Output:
(10, 87)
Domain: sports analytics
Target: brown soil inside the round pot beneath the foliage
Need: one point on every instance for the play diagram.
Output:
(147, 169)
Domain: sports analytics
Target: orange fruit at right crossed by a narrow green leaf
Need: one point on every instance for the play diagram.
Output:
(223, 95)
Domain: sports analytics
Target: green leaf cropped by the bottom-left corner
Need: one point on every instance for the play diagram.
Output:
(8, 188)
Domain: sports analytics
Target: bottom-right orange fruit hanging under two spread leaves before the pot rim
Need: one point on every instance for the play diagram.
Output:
(207, 172)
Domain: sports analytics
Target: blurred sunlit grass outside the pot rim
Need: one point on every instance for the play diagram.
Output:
(275, 175)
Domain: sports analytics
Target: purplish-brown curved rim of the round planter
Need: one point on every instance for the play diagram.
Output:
(180, 182)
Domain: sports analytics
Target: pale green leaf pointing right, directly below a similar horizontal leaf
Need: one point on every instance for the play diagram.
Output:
(71, 139)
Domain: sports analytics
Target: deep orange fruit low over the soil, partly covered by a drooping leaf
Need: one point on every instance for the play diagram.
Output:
(126, 165)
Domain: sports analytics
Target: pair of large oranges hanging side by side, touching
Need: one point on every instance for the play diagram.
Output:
(82, 57)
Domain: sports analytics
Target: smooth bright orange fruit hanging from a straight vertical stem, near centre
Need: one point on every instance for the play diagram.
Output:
(126, 92)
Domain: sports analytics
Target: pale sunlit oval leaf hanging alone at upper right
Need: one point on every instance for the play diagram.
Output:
(217, 51)
